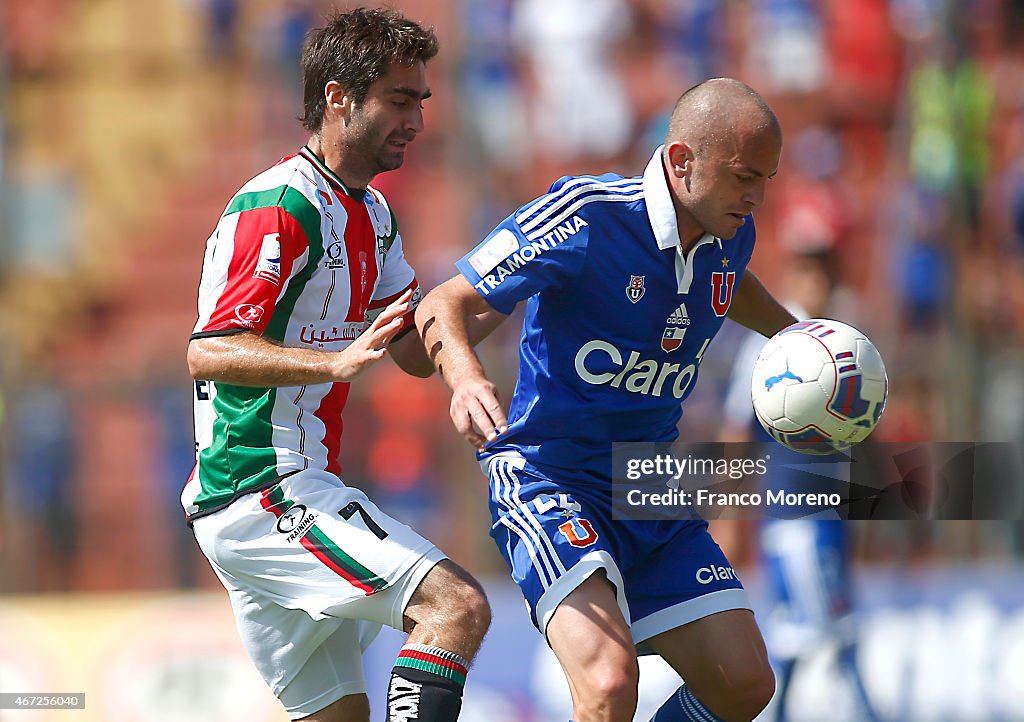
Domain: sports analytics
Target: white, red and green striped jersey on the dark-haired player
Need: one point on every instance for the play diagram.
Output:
(305, 262)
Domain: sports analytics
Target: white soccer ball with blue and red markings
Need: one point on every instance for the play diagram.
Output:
(819, 387)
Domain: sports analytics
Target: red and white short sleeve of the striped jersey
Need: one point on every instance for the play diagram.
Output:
(250, 262)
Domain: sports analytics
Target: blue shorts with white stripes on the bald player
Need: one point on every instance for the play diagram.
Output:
(556, 533)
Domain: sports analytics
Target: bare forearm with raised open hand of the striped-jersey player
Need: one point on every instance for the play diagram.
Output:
(246, 359)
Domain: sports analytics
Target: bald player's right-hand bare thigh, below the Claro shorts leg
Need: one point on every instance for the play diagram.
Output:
(717, 654)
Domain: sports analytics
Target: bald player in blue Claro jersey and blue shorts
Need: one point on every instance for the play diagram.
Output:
(626, 283)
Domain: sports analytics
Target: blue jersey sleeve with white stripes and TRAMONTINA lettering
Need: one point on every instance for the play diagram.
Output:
(540, 247)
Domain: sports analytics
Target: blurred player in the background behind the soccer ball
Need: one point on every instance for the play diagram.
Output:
(805, 562)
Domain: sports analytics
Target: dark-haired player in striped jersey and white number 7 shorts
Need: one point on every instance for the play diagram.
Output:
(306, 285)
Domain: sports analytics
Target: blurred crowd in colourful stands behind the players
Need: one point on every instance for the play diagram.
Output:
(127, 126)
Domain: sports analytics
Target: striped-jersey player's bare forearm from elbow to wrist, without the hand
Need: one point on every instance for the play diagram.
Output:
(248, 360)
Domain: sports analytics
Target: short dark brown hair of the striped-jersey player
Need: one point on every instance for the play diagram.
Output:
(355, 50)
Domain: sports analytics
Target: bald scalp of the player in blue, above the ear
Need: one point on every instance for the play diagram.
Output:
(717, 111)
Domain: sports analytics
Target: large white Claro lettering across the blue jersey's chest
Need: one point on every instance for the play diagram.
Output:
(636, 375)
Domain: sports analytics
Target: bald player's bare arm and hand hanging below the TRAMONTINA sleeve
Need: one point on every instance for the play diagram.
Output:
(453, 319)
